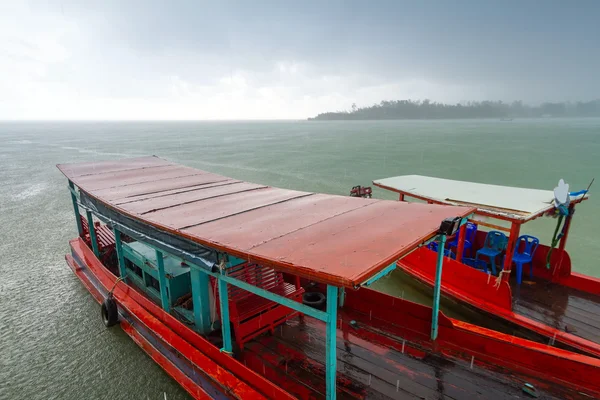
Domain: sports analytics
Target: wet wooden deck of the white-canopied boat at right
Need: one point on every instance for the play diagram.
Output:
(569, 310)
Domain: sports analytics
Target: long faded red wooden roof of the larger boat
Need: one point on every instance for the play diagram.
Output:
(336, 240)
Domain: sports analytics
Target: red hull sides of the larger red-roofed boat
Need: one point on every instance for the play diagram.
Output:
(563, 374)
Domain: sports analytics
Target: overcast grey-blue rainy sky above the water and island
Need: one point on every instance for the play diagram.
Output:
(276, 60)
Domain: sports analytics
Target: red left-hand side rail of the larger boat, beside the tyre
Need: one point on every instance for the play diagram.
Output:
(168, 327)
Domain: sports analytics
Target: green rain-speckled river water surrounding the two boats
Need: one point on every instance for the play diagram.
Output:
(53, 344)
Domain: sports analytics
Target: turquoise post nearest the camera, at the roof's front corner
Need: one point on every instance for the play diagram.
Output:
(330, 343)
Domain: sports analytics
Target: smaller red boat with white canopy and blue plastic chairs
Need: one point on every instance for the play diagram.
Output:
(555, 304)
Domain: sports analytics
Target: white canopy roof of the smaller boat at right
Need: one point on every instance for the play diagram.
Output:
(509, 202)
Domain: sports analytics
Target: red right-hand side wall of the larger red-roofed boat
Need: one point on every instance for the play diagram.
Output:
(465, 340)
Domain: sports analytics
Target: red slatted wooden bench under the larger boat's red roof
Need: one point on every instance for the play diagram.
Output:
(252, 315)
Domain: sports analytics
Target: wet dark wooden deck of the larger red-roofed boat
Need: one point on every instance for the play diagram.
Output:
(372, 365)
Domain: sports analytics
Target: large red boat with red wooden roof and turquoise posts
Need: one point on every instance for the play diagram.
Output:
(246, 291)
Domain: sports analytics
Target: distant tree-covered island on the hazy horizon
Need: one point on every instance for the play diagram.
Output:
(426, 109)
